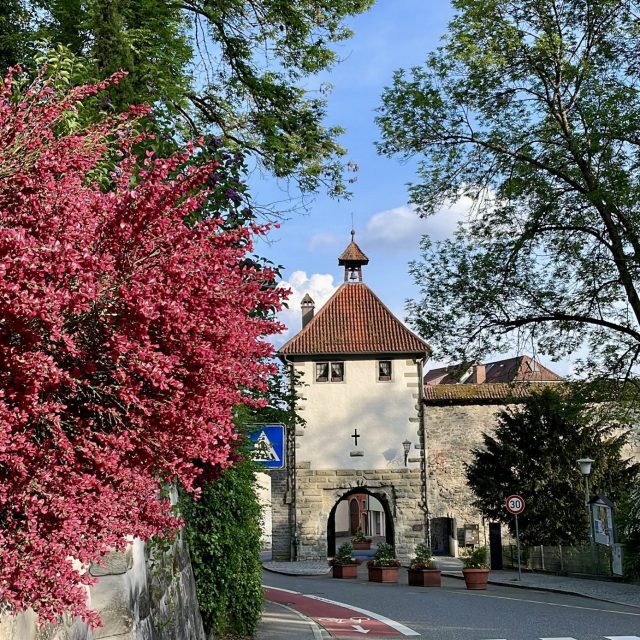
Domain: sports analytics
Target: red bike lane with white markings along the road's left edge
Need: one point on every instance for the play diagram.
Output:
(341, 620)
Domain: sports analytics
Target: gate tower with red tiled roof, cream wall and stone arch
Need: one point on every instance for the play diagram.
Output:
(358, 372)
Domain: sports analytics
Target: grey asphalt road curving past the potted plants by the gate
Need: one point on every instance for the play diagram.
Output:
(453, 613)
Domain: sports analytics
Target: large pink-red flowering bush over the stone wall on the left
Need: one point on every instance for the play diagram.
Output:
(126, 339)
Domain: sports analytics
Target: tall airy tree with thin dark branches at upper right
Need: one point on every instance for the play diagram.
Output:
(532, 109)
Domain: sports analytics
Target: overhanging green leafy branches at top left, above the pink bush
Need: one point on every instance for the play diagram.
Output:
(235, 69)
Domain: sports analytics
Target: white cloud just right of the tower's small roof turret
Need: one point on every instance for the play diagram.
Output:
(402, 228)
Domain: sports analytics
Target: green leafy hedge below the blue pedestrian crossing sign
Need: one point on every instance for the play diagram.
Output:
(223, 532)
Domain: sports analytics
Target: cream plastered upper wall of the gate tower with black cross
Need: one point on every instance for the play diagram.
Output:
(384, 413)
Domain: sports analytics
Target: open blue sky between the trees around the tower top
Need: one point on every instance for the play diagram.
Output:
(393, 34)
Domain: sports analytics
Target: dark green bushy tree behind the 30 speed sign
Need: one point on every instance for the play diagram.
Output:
(533, 453)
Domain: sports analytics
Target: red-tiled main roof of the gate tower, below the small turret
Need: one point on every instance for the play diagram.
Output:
(354, 320)
